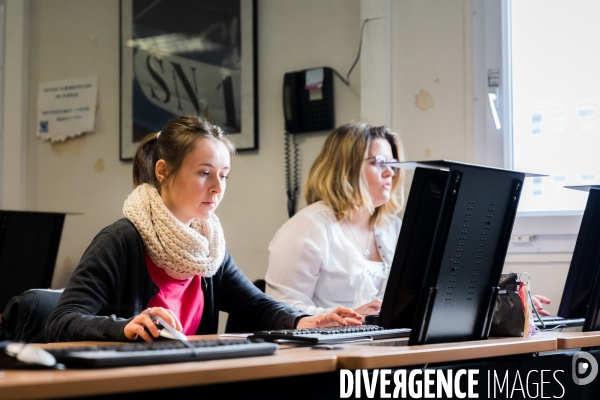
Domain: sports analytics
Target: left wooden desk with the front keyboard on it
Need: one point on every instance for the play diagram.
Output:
(21, 384)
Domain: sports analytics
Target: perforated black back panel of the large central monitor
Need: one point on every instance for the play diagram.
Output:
(468, 253)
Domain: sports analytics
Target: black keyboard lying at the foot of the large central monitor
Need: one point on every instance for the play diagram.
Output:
(331, 335)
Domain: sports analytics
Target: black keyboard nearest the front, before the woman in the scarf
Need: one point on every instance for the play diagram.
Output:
(160, 352)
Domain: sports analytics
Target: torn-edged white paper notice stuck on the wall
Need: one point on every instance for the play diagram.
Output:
(66, 108)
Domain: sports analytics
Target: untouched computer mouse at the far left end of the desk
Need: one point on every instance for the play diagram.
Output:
(22, 355)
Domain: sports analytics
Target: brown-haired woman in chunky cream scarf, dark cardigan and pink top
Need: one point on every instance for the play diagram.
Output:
(168, 257)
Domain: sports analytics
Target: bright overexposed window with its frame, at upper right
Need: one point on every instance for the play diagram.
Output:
(547, 96)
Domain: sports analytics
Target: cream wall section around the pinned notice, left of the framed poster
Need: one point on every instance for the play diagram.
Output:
(71, 39)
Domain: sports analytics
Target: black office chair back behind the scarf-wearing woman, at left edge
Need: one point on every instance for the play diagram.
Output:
(25, 315)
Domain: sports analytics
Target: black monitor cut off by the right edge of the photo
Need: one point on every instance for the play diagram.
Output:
(581, 295)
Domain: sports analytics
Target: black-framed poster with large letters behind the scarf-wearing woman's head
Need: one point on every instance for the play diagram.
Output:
(183, 57)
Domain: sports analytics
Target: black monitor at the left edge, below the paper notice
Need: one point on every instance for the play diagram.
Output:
(28, 247)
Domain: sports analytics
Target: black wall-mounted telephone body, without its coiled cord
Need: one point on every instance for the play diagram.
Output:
(308, 100)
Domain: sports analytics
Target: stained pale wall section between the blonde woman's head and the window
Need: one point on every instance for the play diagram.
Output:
(431, 78)
